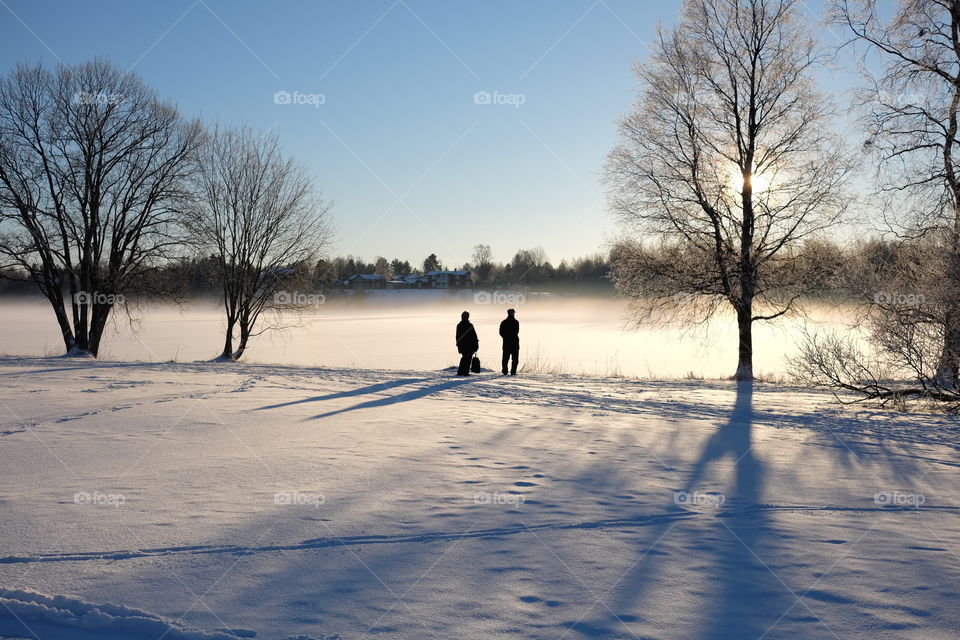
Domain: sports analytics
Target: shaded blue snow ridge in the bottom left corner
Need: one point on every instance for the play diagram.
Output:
(32, 614)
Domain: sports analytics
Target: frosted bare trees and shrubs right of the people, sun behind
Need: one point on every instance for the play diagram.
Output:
(731, 170)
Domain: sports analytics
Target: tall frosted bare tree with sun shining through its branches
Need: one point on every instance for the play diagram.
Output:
(728, 160)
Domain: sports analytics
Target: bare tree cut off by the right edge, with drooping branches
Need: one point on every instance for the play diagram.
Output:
(910, 109)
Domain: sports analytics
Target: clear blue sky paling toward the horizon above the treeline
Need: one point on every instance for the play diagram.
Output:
(413, 163)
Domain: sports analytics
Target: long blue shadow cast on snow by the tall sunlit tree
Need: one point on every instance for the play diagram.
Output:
(736, 592)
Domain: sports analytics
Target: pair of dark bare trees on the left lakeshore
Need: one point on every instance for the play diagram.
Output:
(102, 182)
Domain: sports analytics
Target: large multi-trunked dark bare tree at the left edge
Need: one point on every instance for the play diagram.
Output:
(92, 166)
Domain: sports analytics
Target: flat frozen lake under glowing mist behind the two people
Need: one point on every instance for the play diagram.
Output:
(409, 330)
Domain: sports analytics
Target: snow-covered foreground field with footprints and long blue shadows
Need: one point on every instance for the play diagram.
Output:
(222, 501)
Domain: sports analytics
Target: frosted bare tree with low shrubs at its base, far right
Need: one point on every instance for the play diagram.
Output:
(910, 109)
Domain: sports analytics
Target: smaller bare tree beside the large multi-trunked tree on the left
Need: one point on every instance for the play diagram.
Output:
(261, 216)
